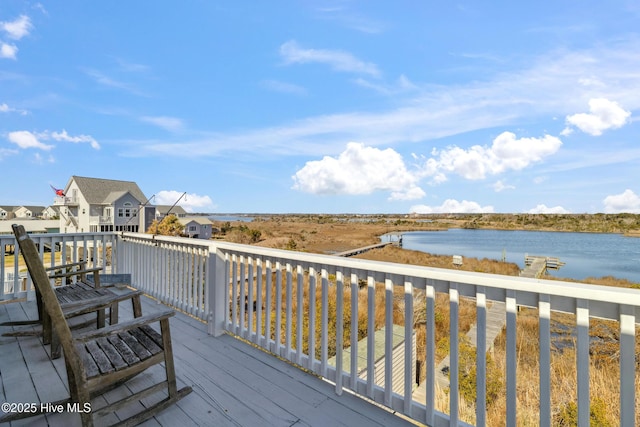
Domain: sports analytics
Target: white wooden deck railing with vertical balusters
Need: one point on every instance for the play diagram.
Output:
(266, 296)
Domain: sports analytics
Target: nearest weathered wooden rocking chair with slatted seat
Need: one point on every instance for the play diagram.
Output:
(102, 359)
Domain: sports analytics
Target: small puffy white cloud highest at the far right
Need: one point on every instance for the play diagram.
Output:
(603, 115)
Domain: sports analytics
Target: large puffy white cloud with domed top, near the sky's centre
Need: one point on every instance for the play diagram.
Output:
(359, 170)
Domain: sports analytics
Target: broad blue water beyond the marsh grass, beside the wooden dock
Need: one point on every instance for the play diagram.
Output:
(585, 254)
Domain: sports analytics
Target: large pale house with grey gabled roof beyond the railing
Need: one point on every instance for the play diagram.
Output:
(102, 205)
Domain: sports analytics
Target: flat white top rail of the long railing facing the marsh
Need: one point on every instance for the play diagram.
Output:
(609, 294)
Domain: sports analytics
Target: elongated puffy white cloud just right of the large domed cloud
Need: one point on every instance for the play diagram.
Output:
(506, 153)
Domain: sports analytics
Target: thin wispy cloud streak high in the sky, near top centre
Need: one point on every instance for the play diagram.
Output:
(339, 60)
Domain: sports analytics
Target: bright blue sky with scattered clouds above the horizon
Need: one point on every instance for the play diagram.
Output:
(326, 106)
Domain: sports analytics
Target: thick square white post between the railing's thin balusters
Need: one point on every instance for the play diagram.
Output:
(215, 283)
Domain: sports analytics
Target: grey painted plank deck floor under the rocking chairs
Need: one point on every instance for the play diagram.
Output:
(234, 383)
